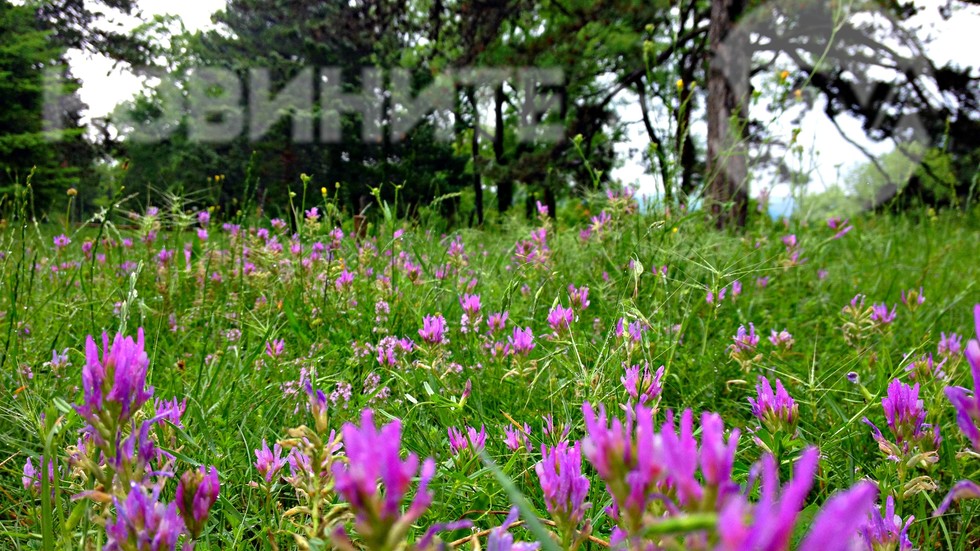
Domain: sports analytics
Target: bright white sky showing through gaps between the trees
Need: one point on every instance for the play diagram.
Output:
(826, 153)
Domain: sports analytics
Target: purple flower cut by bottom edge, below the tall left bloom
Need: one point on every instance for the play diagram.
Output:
(143, 523)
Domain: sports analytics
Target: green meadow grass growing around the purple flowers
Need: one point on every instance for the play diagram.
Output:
(239, 321)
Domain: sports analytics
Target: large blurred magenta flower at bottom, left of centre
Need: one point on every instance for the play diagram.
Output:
(373, 456)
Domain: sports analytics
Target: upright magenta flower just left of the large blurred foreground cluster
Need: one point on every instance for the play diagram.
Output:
(564, 486)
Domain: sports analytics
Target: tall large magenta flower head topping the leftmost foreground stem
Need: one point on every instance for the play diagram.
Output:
(115, 385)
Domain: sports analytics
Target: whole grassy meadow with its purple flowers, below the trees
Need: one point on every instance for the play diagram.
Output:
(182, 378)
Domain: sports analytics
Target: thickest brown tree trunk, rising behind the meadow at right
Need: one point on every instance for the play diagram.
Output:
(728, 97)
